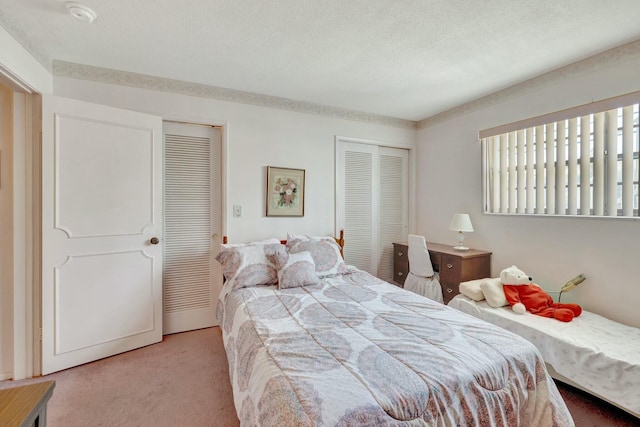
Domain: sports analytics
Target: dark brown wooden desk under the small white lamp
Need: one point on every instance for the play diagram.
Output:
(454, 266)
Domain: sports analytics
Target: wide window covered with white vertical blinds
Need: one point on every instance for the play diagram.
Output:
(582, 161)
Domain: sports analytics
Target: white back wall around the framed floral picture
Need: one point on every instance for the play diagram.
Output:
(257, 137)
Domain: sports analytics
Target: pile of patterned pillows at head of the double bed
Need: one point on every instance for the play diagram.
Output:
(302, 262)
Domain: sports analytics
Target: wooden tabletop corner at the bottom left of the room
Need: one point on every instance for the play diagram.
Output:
(25, 406)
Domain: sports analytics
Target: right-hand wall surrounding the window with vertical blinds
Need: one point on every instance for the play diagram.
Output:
(551, 250)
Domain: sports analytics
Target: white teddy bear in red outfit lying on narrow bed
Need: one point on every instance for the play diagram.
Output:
(524, 295)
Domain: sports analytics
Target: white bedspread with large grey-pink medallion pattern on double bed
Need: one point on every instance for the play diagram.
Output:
(357, 351)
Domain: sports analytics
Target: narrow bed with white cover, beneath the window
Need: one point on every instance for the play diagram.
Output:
(592, 352)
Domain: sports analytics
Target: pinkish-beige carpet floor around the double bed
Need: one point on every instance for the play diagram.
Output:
(184, 381)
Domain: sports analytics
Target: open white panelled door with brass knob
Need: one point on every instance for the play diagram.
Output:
(101, 224)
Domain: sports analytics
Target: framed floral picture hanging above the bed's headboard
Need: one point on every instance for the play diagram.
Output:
(285, 191)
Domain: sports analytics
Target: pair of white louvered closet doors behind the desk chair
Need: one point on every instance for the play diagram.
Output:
(372, 203)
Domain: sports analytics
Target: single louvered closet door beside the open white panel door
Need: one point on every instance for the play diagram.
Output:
(192, 226)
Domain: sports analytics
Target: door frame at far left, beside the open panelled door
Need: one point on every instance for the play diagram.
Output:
(25, 338)
